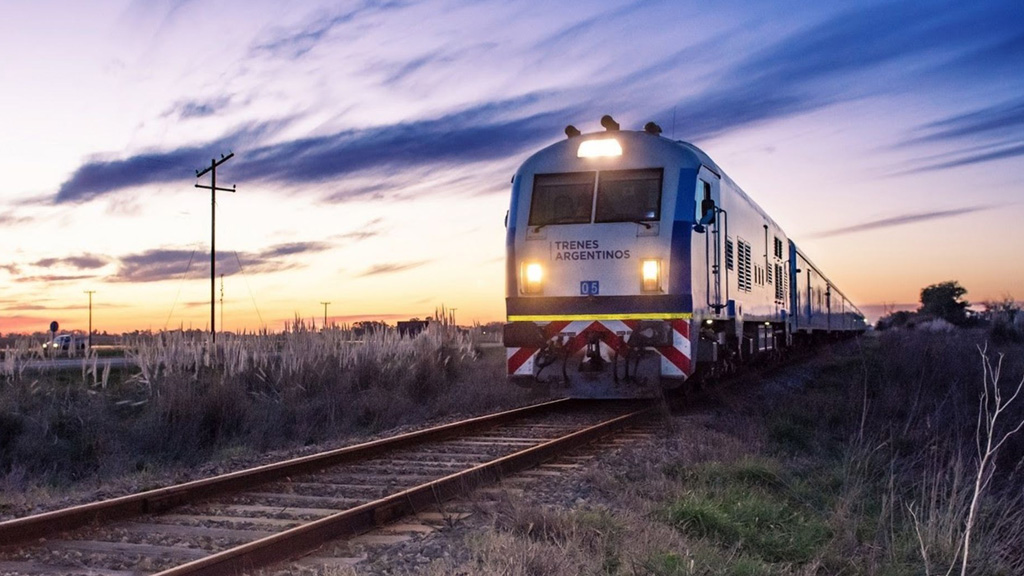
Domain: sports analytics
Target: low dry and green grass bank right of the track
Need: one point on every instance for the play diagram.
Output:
(861, 463)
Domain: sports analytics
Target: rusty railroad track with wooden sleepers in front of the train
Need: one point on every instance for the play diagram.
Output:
(245, 520)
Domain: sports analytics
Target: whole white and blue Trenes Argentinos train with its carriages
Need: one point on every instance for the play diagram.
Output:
(636, 265)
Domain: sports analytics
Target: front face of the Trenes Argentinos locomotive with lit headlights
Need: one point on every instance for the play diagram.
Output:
(599, 267)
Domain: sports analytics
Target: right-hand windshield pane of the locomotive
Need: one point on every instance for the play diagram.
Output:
(629, 196)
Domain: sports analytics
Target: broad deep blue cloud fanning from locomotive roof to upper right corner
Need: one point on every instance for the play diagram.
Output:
(856, 55)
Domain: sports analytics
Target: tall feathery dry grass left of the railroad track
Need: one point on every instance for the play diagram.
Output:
(186, 402)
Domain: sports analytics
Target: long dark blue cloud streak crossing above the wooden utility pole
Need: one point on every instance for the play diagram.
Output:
(479, 134)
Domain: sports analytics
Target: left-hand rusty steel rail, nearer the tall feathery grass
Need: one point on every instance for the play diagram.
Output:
(28, 528)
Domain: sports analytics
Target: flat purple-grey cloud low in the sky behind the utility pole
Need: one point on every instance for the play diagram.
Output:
(162, 264)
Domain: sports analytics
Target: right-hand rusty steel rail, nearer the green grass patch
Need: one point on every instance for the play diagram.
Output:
(297, 542)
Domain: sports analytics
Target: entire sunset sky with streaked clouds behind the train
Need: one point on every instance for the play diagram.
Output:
(374, 143)
